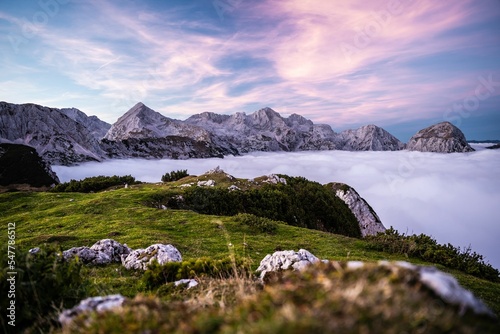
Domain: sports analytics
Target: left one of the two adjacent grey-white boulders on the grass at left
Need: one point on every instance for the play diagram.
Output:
(102, 252)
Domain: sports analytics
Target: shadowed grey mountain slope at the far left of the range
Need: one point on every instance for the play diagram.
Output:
(56, 137)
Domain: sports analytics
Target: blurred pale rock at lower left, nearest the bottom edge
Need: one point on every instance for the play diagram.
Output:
(94, 304)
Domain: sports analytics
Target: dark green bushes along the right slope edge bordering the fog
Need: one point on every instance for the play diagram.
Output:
(426, 248)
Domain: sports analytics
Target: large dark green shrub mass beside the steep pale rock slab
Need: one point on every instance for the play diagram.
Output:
(299, 203)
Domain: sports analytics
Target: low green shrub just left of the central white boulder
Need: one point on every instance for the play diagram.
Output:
(157, 275)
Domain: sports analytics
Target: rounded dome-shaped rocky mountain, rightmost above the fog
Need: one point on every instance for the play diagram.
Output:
(442, 138)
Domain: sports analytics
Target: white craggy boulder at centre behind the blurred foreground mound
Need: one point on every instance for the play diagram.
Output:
(284, 260)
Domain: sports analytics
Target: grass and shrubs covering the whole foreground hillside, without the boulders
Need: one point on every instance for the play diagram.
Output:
(222, 251)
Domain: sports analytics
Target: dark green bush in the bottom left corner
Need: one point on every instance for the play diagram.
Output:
(45, 283)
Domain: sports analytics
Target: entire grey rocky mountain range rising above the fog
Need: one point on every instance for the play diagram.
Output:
(68, 136)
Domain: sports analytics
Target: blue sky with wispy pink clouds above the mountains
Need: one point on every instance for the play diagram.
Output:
(399, 64)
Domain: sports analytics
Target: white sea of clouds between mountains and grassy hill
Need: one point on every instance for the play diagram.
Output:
(455, 197)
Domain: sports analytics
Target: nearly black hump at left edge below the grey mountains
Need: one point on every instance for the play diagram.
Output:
(21, 164)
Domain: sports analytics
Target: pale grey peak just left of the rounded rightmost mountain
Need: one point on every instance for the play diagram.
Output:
(369, 138)
